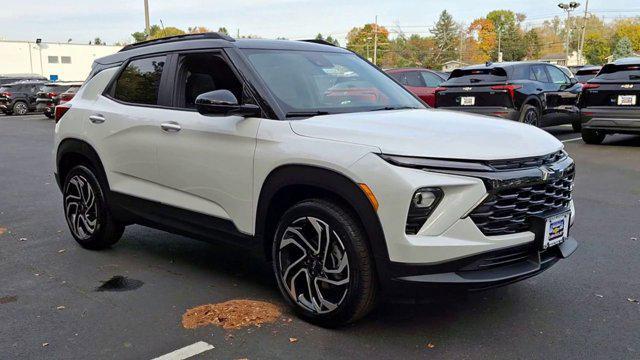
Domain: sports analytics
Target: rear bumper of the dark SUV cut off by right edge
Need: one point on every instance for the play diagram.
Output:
(613, 120)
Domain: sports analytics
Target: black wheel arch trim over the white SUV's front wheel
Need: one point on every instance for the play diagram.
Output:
(331, 181)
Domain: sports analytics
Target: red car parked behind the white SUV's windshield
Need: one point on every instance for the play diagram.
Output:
(421, 82)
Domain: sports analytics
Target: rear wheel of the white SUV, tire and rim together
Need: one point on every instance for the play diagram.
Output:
(95, 228)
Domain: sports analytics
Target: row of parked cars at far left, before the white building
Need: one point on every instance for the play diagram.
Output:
(20, 95)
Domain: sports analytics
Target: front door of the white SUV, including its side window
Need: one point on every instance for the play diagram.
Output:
(205, 163)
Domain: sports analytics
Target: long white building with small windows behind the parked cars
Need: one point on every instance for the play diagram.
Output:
(67, 62)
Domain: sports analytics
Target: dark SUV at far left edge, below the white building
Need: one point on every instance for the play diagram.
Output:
(19, 98)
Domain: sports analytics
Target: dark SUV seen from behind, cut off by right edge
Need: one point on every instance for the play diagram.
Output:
(609, 102)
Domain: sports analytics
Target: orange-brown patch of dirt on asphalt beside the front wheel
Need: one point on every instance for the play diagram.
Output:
(233, 314)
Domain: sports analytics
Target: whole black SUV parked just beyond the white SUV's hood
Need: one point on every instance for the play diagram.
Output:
(538, 94)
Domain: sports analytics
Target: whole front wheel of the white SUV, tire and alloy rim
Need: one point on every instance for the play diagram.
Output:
(347, 264)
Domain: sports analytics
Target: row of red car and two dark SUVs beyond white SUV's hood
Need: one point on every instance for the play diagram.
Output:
(595, 100)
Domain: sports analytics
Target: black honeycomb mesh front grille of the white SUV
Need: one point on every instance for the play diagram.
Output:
(507, 211)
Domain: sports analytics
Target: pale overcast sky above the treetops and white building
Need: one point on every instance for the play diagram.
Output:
(115, 20)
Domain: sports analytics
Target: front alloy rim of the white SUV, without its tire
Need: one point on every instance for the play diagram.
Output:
(313, 265)
